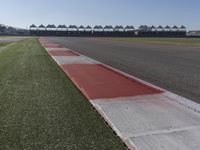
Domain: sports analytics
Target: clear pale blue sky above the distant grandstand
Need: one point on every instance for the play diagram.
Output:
(22, 13)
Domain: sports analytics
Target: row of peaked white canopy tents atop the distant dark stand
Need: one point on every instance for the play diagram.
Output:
(106, 28)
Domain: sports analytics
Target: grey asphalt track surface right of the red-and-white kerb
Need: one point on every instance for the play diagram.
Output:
(175, 68)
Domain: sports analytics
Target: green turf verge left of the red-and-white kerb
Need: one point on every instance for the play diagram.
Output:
(40, 109)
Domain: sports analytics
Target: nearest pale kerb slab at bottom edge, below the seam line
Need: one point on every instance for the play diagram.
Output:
(182, 140)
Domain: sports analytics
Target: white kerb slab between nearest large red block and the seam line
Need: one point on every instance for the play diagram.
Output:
(172, 124)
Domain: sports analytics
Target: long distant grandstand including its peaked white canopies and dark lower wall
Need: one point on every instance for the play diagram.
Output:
(108, 31)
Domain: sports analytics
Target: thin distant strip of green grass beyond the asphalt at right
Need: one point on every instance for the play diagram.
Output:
(170, 41)
